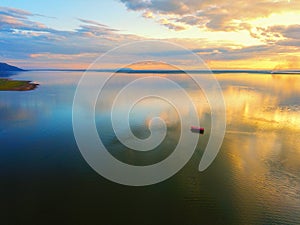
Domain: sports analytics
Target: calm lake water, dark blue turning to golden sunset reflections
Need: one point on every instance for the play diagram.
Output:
(255, 179)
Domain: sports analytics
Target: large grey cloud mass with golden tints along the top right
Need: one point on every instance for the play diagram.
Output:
(213, 14)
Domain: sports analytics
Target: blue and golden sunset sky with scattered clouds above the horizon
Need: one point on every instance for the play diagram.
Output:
(240, 34)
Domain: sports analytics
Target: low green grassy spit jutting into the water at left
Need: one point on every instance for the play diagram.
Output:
(16, 85)
